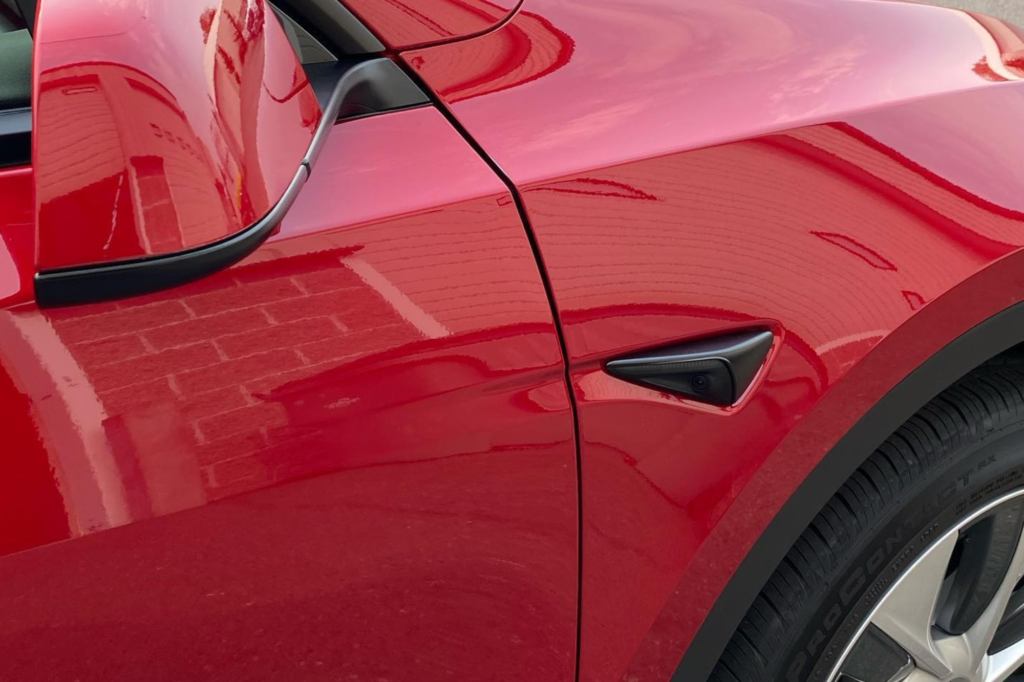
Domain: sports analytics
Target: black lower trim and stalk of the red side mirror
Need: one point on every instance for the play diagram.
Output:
(101, 283)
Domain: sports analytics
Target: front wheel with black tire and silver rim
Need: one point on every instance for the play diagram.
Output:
(913, 571)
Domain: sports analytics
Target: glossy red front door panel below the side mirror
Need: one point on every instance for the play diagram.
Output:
(351, 455)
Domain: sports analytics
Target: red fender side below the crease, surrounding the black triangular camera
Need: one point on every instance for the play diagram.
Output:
(818, 229)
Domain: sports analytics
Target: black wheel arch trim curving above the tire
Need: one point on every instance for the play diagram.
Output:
(976, 347)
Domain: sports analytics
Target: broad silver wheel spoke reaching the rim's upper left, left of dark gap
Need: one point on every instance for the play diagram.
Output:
(908, 612)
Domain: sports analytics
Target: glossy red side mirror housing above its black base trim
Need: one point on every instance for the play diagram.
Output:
(161, 126)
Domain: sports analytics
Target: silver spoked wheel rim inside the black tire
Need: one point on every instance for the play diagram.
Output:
(957, 615)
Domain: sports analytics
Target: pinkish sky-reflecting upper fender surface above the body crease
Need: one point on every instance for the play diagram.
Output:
(580, 90)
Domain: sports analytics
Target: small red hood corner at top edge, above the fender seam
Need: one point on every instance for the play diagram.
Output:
(406, 24)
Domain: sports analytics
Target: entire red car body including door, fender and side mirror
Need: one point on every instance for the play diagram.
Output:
(386, 446)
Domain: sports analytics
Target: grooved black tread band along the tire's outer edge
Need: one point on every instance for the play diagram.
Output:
(982, 403)
